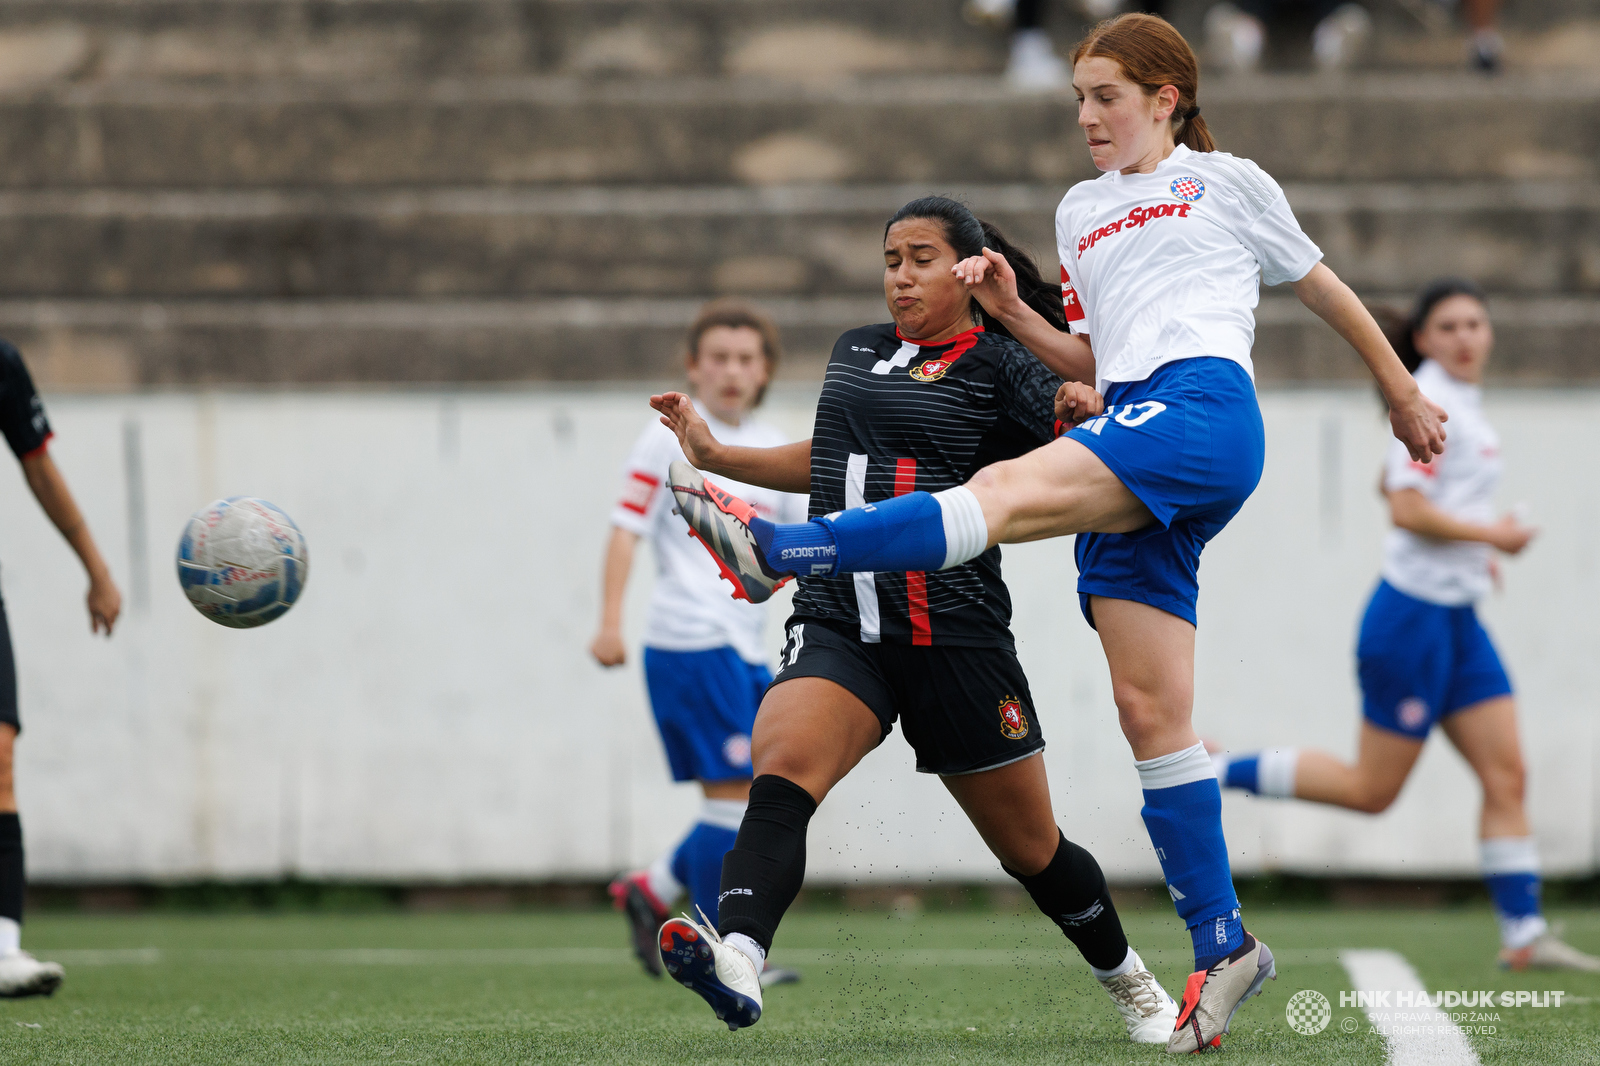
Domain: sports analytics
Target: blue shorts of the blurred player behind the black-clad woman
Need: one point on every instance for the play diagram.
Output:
(705, 705)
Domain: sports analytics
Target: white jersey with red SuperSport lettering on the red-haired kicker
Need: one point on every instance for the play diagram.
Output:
(1167, 266)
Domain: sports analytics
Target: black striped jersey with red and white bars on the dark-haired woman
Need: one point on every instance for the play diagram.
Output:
(895, 419)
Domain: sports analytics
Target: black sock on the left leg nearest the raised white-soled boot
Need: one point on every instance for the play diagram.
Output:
(762, 875)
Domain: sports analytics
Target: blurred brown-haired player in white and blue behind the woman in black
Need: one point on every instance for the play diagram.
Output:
(705, 657)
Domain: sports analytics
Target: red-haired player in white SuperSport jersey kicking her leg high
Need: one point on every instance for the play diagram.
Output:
(1162, 258)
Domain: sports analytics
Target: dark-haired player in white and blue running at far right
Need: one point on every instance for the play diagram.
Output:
(1423, 657)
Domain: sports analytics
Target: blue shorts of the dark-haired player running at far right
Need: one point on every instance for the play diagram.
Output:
(1423, 662)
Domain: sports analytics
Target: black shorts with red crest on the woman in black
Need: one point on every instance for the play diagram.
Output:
(964, 710)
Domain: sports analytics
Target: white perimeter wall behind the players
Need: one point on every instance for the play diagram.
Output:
(428, 711)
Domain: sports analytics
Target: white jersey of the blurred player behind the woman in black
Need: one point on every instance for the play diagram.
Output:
(694, 609)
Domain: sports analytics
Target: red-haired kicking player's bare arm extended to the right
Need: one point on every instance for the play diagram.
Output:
(1417, 422)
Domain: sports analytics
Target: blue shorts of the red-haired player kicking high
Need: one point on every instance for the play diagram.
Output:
(1188, 443)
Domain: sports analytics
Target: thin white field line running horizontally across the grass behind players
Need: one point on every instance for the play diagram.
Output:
(601, 956)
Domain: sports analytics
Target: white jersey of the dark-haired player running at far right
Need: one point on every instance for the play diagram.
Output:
(1462, 484)
